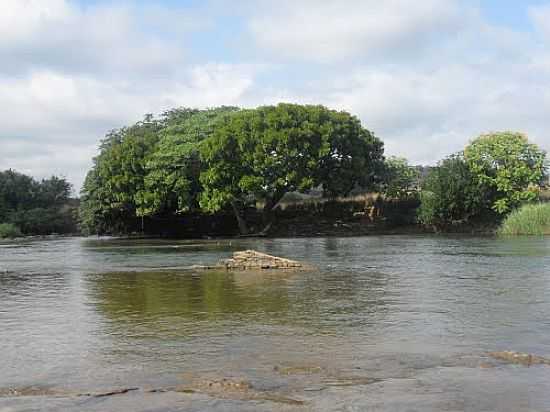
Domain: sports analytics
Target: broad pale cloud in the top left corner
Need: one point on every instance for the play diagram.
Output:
(114, 40)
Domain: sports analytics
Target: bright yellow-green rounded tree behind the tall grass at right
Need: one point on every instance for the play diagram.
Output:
(509, 166)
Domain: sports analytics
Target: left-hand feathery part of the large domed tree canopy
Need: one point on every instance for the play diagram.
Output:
(147, 169)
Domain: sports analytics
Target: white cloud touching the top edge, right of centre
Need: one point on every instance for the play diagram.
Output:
(338, 29)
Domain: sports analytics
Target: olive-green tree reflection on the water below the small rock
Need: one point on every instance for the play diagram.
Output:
(186, 298)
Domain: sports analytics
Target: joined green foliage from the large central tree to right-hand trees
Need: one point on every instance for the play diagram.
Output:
(228, 160)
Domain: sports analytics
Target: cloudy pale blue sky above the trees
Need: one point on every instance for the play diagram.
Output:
(425, 76)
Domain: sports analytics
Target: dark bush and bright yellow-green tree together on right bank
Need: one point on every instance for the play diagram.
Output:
(495, 174)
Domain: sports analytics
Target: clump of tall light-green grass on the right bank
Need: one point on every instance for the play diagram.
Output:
(528, 220)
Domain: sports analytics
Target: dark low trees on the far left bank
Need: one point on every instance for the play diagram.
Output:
(30, 207)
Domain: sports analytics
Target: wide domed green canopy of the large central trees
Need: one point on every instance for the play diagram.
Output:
(214, 159)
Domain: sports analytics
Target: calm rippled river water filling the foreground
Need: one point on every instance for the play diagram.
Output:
(391, 323)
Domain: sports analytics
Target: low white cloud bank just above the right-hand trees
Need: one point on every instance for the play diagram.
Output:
(430, 113)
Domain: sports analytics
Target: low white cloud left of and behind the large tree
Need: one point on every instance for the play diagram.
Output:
(52, 120)
